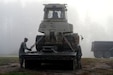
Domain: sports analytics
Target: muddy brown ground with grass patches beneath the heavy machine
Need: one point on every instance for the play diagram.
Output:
(90, 67)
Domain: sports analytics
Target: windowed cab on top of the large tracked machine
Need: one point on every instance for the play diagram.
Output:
(55, 12)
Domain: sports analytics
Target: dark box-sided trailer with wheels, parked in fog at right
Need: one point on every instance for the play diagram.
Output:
(102, 49)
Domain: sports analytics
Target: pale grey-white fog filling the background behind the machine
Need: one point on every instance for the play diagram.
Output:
(92, 19)
